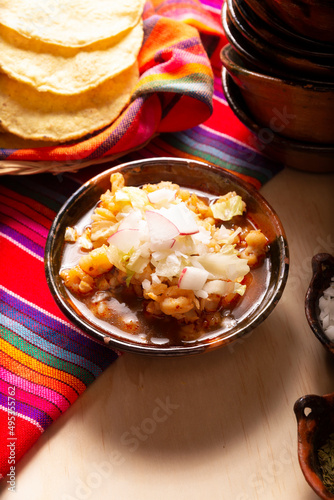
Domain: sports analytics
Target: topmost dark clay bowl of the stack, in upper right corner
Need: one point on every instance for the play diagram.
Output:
(311, 18)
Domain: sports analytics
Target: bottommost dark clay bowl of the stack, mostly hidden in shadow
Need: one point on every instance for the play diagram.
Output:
(308, 157)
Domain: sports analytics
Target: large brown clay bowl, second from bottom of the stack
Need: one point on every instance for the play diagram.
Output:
(288, 107)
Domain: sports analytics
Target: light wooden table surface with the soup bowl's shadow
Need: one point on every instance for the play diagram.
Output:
(216, 426)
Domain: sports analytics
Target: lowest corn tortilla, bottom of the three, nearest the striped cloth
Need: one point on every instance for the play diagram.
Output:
(44, 116)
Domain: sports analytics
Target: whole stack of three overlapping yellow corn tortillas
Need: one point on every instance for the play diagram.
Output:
(67, 68)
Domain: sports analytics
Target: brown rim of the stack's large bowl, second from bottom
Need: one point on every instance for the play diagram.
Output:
(231, 65)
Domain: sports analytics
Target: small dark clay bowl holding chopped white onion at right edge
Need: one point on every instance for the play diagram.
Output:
(323, 271)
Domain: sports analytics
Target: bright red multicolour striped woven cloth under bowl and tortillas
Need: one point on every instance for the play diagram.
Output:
(46, 362)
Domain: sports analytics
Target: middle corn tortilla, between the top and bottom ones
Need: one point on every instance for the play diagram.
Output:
(67, 71)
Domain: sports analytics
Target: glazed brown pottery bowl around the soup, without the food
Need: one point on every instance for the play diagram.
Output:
(262, 294)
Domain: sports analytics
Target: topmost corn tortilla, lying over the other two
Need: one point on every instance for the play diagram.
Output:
(73, 23)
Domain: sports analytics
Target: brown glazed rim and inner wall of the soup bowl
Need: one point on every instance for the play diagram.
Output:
(191, 172)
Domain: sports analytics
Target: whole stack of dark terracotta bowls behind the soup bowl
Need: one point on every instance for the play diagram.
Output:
(278, 77)
